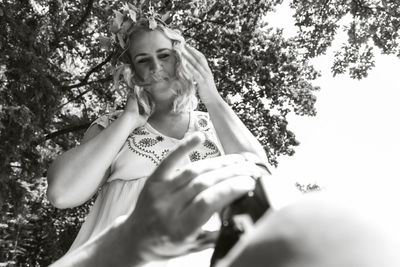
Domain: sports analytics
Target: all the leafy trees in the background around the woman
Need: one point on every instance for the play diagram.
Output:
(54, 80)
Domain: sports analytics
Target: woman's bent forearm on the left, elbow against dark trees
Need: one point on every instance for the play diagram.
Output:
(77, 174)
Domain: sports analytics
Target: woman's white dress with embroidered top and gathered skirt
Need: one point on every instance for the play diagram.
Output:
(142, 152)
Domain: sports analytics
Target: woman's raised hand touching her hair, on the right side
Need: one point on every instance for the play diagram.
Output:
(197, 64)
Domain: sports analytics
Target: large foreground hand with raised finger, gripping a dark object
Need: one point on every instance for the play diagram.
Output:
(173, 205)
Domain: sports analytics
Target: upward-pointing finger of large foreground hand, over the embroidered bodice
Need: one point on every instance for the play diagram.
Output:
(169, 164)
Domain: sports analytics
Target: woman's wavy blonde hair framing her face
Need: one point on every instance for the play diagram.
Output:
(184, 86)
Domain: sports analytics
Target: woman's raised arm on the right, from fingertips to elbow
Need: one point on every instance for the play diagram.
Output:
(233, 134)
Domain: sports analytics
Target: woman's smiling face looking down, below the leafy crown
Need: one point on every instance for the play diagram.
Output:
(153, 60)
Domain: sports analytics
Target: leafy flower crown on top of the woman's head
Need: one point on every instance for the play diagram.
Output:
(122, 24)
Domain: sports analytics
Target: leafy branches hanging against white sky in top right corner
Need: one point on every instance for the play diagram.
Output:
(371, 23)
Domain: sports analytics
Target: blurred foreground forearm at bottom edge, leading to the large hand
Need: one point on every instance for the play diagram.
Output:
(116, 246)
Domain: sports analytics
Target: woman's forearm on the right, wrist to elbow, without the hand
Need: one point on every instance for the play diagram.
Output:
(233, 134)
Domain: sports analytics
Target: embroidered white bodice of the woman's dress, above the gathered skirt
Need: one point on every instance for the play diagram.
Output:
(145, 147)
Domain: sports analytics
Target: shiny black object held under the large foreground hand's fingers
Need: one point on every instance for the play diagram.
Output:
(235, 217)
